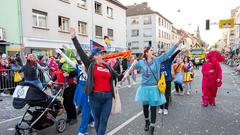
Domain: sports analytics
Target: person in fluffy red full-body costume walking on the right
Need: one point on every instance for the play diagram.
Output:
(212, 78)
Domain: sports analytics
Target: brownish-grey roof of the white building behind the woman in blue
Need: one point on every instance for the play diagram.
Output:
(142, 9)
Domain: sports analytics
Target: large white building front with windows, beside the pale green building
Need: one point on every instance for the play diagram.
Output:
(46, 24)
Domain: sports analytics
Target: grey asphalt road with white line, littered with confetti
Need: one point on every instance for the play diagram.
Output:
(186, 115)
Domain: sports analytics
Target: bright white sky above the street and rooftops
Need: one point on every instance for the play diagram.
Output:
(193, 13)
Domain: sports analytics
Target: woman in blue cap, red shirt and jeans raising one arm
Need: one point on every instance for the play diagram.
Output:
(99, 86)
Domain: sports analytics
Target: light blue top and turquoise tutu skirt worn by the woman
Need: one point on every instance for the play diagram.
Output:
(148, 92)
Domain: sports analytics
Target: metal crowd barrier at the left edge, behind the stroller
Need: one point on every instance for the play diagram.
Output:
(7, 80)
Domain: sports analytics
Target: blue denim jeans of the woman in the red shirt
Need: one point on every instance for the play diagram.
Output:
(101, 105)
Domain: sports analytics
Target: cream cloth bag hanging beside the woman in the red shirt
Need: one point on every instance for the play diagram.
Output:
(116, 102)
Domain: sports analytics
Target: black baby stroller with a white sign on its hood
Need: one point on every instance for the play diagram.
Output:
(41, 112)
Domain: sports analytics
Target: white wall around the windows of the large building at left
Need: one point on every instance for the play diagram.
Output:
(52, 38)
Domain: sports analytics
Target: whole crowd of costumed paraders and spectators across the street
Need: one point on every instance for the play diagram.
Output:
(81, 76)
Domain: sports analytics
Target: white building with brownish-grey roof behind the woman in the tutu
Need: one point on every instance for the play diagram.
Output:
(147, 28)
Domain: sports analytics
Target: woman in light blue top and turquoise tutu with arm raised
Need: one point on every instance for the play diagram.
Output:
(148, 93)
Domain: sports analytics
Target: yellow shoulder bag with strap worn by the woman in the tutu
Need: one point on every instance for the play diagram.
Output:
(161, 82)
